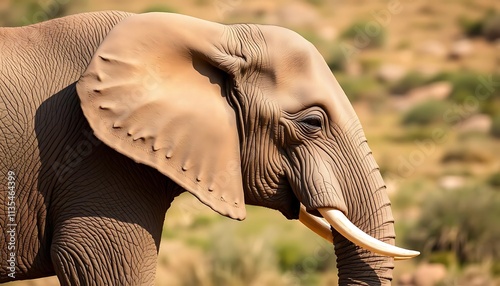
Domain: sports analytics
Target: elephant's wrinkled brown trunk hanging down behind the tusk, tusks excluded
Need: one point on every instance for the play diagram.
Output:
(370, 210)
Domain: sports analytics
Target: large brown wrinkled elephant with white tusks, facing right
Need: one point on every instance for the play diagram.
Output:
(107, 117)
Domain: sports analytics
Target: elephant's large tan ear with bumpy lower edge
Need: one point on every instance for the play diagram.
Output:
(151, 97)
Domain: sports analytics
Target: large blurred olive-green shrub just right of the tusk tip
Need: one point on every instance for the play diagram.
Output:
(463, 222)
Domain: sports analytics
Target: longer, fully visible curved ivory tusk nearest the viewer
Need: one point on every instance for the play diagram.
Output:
(345, 227)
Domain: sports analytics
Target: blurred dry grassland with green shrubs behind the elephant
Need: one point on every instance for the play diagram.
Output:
(424, 78)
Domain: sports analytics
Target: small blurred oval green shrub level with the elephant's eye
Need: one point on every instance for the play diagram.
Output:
(426, 113)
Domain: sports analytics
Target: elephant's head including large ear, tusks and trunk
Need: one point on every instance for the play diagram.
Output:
(244, 114)
